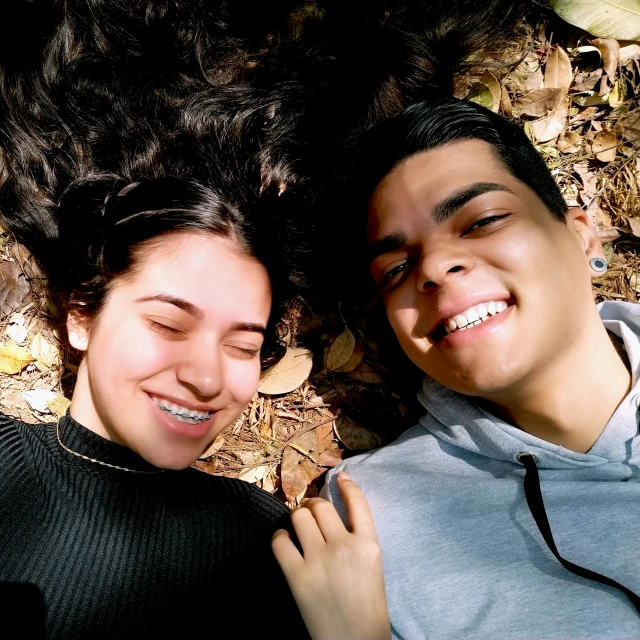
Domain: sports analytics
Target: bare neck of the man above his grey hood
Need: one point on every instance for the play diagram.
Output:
(572, 400)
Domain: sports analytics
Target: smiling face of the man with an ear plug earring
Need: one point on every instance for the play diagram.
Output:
(482, 286)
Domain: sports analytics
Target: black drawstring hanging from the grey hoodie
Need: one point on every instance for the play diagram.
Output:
(533, 495)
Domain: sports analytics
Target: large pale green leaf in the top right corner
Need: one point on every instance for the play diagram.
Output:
(618, 19)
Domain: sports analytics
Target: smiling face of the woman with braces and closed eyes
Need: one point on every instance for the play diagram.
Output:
(173, 357)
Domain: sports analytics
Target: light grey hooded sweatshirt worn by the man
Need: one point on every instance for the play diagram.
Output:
(463, 557)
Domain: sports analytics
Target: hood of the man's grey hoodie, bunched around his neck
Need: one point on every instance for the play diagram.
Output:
(455, 419)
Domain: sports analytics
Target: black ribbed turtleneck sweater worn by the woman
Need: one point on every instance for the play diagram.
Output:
(87, 551)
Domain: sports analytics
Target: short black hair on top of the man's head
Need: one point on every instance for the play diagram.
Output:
(434, 123)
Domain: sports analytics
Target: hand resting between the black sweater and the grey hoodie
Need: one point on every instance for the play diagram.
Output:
(337, 582)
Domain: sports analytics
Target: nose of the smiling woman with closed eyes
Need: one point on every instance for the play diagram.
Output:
(202, 368)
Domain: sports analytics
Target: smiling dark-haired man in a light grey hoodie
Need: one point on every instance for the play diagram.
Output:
(485, 276)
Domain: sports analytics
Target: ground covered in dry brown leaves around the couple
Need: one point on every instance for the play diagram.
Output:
(337, 391)
